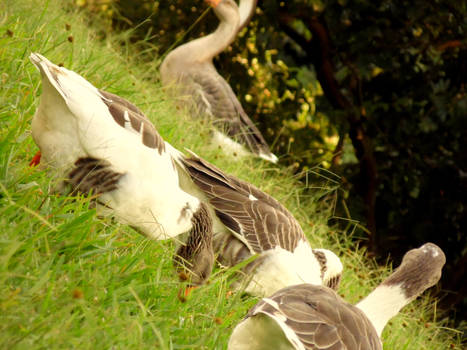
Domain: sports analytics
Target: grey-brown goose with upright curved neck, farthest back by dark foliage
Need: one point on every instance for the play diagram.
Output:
(190, 70)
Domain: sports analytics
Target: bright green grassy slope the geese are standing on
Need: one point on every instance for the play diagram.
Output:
(71, 280)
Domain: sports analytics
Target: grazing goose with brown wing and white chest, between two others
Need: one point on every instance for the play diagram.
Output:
(247, 221)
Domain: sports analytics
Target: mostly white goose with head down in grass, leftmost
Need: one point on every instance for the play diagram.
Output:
(102, 143)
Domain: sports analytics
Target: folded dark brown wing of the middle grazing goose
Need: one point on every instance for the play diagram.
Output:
(254, 217)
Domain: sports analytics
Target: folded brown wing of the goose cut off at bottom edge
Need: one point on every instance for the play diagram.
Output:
(318, 318)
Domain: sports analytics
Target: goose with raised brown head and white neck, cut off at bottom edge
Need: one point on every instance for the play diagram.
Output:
(309, 317)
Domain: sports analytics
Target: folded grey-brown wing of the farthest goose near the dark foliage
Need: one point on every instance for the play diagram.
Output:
(214, 96)
